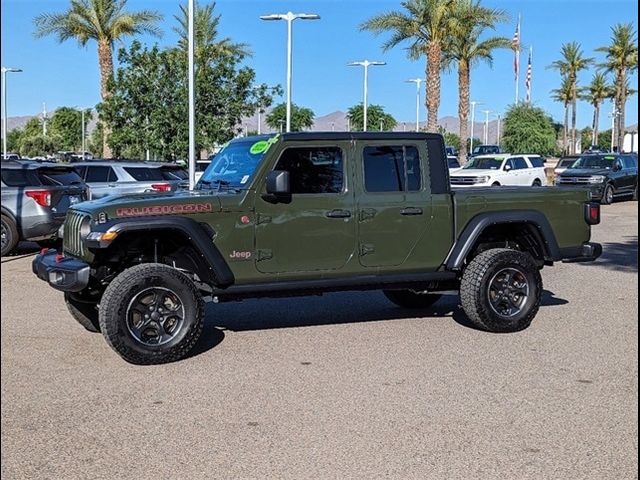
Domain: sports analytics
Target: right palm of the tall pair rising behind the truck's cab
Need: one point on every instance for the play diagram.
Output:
(465, 49)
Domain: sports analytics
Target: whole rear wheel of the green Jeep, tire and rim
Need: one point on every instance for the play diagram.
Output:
(501, 290)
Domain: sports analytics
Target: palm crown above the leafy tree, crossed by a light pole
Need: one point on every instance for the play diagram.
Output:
(206, 34)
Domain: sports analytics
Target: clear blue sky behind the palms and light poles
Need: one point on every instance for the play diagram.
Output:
(66, 74)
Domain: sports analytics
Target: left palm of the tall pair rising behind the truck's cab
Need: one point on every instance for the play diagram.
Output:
(425, 25)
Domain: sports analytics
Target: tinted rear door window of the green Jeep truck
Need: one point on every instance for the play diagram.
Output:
(391, 169)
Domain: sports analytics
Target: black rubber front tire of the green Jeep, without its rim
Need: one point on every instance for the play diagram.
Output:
(115, 304)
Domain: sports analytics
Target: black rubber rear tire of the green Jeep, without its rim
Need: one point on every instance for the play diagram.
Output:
(474, 289)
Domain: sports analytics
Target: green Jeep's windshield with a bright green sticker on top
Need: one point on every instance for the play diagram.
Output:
(234, 165)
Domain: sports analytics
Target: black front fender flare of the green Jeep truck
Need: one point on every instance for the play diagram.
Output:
(199, 234)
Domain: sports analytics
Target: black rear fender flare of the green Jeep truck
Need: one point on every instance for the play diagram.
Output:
(475, 227)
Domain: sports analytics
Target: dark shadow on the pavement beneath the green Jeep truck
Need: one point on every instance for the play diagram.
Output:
(332, 309)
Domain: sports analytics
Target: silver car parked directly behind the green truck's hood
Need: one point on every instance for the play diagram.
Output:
(126, 177)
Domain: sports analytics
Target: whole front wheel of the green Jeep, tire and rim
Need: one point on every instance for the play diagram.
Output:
(151, 313)
